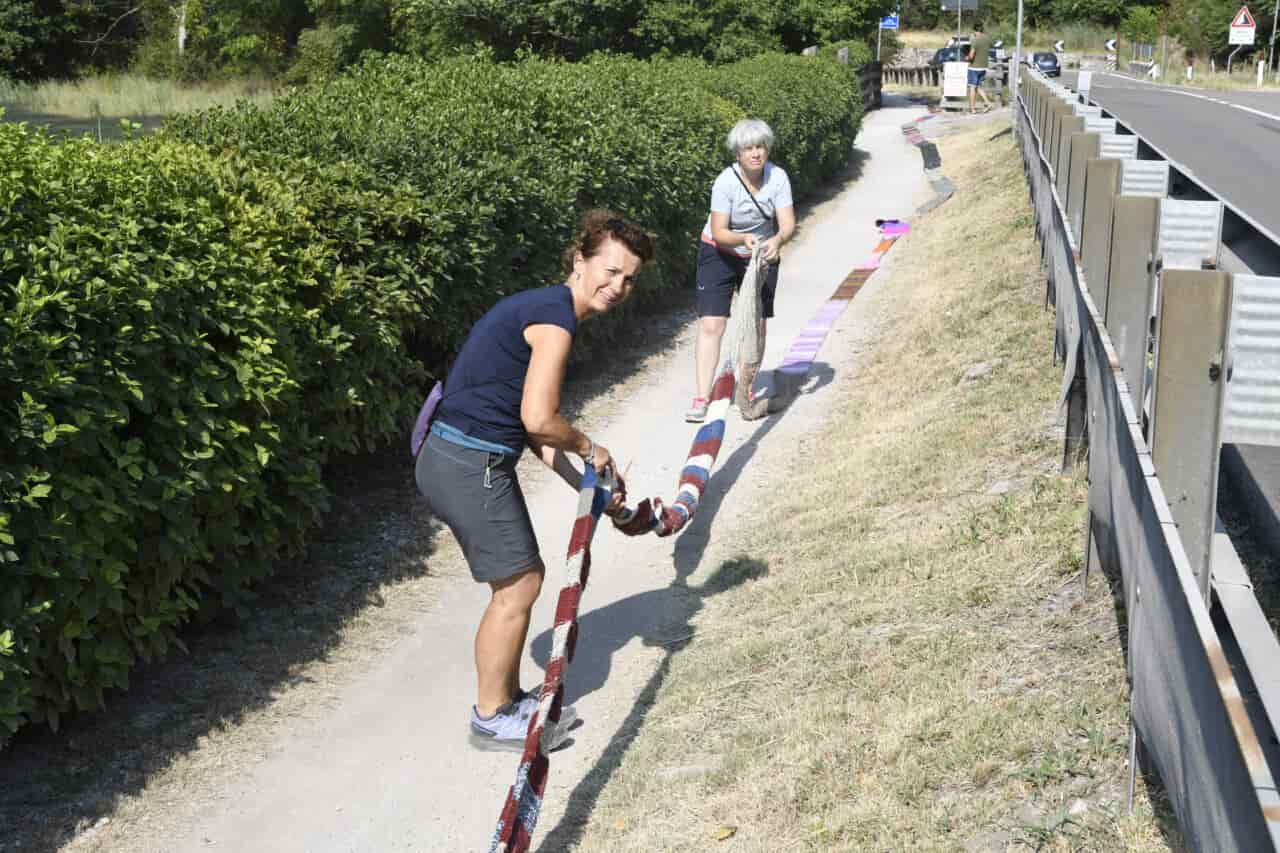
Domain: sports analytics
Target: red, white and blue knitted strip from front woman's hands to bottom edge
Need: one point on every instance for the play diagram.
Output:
(525, 800)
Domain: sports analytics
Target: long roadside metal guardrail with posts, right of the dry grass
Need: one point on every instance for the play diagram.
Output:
(1205, 688)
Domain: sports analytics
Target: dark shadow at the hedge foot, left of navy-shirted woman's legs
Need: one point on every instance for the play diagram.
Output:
(377, 533)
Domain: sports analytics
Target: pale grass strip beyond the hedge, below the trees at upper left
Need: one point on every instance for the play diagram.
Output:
(129, 95)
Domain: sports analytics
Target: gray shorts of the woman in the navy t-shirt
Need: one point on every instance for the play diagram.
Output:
(491, 522)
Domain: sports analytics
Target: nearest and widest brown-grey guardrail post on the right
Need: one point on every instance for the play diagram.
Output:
(1190, 386)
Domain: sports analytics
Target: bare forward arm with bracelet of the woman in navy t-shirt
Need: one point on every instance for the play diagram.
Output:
(540, 407)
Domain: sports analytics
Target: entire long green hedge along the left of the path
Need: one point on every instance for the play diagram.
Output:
(195, 322)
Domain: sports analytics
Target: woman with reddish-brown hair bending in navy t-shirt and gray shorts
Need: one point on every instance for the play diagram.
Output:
(502, 395)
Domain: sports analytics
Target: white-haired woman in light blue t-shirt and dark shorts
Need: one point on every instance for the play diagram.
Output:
(751, 203)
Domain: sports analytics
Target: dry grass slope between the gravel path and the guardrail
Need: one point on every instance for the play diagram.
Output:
(918, 668)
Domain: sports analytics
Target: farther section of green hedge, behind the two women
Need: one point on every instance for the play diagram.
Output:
(510, 154)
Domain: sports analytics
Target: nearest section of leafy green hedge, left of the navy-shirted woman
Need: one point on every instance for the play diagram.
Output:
(182, 349)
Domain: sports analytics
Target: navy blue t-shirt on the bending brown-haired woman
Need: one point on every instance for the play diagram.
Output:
(483, 393)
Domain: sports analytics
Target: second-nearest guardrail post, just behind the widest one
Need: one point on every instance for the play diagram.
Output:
(1128, 308)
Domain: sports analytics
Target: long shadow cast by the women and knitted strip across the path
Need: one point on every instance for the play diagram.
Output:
(668, 612)
